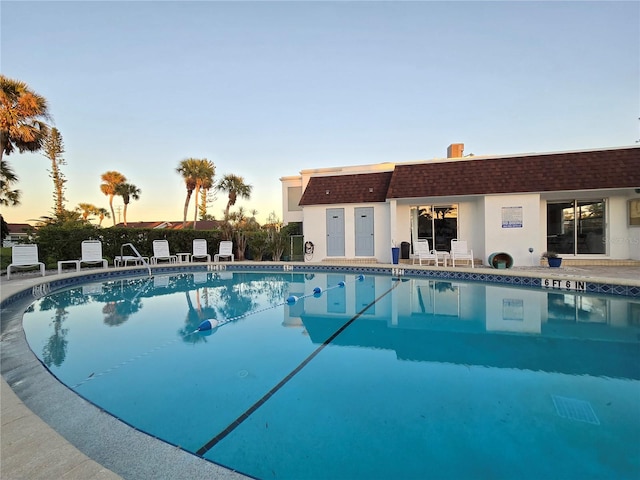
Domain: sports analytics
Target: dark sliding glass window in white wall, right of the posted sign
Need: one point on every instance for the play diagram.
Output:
(576, 227)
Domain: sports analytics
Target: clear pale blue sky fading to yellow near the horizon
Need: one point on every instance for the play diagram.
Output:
(266, 89)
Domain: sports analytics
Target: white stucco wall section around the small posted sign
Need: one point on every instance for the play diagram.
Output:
(514, 241)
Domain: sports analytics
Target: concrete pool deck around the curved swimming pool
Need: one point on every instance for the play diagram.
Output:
(32, 448)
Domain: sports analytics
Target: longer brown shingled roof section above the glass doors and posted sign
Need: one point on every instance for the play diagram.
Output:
(598, 169)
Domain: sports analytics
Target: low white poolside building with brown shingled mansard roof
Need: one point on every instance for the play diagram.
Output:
(584, 205)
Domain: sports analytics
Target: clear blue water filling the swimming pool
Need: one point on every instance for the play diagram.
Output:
(371, 378)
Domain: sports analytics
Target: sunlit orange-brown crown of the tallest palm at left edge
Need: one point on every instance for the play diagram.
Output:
(22, 115)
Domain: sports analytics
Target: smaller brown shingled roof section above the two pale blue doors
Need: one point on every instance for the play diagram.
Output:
(358, 188)
